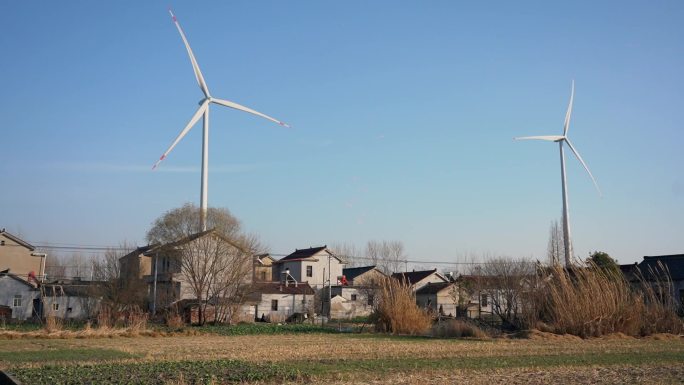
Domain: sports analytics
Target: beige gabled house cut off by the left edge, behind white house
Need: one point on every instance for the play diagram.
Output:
(20, 257)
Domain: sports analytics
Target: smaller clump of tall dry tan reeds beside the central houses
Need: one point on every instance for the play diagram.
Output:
(397, 311)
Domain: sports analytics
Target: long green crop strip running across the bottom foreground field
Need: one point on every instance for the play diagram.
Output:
(233, 371)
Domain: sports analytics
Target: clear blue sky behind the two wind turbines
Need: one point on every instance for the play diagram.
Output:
(402, 116)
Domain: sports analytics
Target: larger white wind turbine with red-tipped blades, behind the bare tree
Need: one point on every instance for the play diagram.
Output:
(203, 111)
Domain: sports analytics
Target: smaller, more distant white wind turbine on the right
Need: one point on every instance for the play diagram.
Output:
(560, 139)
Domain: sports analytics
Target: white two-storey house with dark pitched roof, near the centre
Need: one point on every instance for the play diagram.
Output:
(313, 265)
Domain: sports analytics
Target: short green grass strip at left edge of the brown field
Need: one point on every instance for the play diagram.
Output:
(63, 355)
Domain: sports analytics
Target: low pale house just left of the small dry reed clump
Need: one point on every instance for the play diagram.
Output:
(355, 293)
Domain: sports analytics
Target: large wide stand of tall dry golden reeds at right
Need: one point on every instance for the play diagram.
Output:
(591, 302)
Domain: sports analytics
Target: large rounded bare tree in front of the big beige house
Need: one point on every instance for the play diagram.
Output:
(214, 266)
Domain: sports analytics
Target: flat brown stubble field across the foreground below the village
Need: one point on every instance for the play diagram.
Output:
(640, 364)
